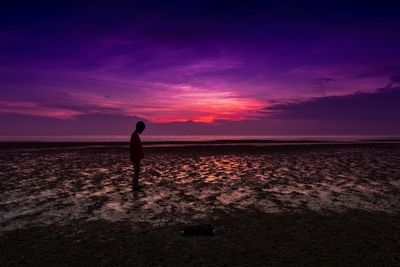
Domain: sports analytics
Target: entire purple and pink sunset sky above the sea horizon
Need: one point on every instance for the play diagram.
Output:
(200, 67)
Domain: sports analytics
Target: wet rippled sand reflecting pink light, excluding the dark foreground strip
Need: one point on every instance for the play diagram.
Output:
(55, 186)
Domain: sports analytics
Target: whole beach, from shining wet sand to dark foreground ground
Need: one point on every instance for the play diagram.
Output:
(271, 204)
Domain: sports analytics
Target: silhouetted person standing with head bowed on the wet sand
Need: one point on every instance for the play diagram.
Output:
(136, 153)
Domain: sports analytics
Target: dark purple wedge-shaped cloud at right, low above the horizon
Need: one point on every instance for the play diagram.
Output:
(382, 104)
